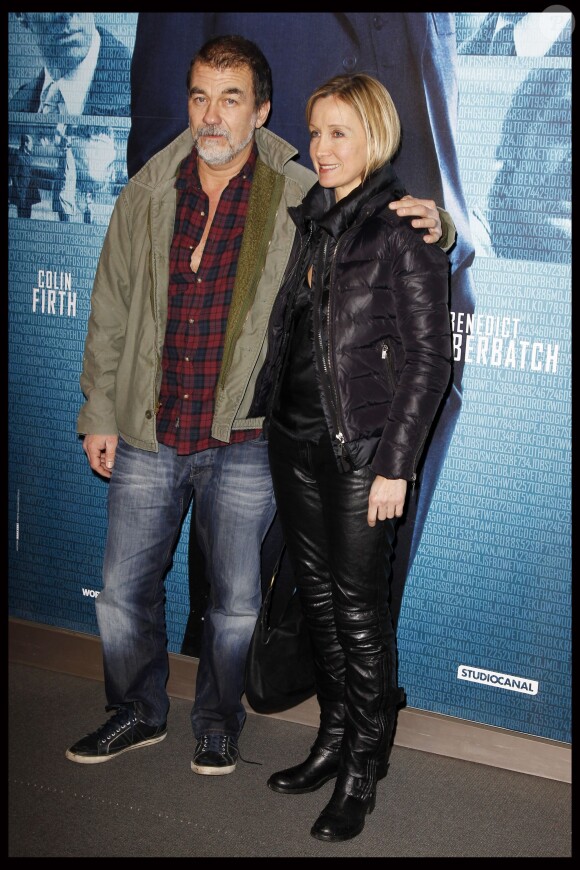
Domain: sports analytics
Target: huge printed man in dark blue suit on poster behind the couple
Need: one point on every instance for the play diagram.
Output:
(414, 55)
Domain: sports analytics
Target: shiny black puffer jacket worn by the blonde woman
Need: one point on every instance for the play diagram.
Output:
(382, 332)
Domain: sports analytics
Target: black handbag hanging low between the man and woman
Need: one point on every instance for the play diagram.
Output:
(279, 667)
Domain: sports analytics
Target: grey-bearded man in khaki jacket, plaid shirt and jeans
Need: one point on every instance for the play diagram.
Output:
(193, 259)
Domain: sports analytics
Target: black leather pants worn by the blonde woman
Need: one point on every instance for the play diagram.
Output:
(342, 568)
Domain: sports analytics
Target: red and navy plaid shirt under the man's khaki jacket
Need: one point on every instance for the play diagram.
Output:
(198, 307)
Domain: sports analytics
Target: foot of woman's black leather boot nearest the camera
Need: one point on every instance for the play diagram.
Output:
(345, 814)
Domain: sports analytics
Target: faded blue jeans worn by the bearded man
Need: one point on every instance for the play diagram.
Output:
(149, 494)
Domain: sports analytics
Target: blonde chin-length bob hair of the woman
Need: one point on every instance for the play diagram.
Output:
(375, 109)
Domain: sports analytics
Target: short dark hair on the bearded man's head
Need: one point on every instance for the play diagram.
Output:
(225, 52)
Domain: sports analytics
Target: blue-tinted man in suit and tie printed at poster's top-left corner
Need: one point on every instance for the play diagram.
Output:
(86, 69)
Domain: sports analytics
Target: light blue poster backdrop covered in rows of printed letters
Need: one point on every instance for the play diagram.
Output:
(485, 624)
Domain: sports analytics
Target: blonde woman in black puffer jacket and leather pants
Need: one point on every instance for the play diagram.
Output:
(362, 343)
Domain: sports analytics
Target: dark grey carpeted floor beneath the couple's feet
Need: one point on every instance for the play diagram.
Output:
(148, 803)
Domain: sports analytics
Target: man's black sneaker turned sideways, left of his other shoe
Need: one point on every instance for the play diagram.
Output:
(121, 732)
